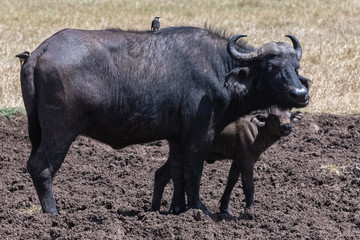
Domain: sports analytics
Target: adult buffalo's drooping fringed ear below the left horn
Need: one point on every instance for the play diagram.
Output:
(239, 81)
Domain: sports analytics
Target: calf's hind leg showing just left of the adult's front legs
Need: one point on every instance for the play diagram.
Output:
(162, 177)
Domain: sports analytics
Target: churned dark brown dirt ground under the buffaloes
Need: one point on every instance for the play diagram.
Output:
(304, 189)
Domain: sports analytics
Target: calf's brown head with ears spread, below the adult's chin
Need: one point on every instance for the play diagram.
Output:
(278, 122)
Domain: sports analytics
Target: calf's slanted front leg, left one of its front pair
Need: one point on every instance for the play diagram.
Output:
(232, 179)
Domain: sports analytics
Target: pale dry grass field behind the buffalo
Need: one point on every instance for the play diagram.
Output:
(328, 30)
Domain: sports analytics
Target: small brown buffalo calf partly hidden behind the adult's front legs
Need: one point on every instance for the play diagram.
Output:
(243, 141)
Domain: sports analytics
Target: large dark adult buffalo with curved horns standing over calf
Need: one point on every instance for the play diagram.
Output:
(182, 84)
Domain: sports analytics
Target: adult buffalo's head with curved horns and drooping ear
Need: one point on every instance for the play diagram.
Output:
(271, 72)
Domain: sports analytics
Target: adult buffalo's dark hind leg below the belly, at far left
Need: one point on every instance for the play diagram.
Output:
(42, 166)
